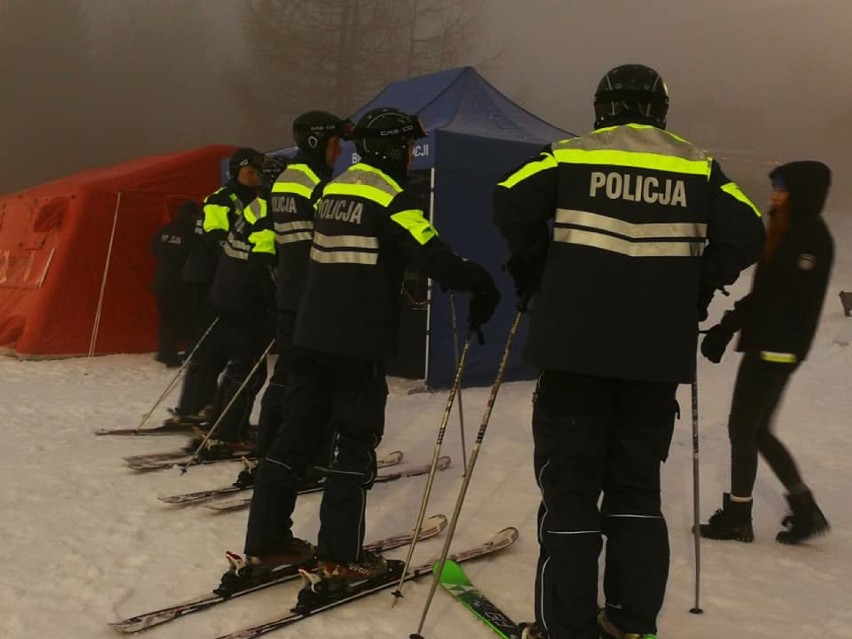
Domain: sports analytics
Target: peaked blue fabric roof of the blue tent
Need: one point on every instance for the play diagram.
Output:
(462, 101)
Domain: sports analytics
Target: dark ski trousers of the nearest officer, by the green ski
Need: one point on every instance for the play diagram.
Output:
(598, 436)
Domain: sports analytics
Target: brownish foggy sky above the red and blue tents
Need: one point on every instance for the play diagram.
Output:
(90, 83)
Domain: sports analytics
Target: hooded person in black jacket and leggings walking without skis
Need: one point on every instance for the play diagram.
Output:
(777, 322)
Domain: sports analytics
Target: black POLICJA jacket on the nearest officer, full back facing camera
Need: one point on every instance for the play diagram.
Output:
(634, 228)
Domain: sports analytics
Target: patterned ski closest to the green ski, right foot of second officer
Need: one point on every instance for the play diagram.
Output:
(501, 540)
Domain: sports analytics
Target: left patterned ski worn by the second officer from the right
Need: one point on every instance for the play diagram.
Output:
(431, 528)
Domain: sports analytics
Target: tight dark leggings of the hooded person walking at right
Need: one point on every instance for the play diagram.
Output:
(757, 393)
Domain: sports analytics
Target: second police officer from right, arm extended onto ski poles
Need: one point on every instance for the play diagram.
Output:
(368, 229)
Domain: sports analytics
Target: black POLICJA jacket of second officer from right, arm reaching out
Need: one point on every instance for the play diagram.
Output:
(368, 229)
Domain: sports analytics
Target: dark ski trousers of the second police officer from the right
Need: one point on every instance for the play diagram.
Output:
(322, 387)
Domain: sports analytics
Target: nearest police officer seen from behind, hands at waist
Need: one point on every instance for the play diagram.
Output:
(622, 235)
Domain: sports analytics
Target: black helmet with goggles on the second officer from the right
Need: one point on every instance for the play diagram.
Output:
(383, 134)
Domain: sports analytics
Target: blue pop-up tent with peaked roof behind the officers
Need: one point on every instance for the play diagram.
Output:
(475, 135)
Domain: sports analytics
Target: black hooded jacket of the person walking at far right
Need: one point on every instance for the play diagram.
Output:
(780, 315)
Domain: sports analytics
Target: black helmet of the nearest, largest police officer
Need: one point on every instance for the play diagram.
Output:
(631, 89)
